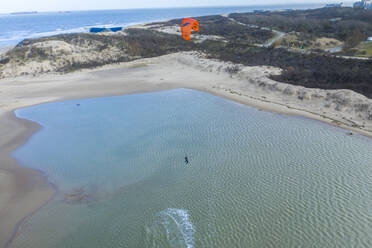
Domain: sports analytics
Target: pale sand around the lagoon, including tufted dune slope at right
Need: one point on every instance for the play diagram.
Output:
(23, 191)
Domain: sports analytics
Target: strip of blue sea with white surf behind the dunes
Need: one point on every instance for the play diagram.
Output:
(15, 28)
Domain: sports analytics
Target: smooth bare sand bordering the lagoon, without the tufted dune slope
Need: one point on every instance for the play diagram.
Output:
(140, 76)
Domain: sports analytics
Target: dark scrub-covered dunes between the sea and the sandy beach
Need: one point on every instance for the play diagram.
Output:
(240, 38)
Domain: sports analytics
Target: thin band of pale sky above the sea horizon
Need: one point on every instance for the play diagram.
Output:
(7, 6)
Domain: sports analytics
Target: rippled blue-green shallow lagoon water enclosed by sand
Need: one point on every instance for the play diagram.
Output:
(255, 179)
